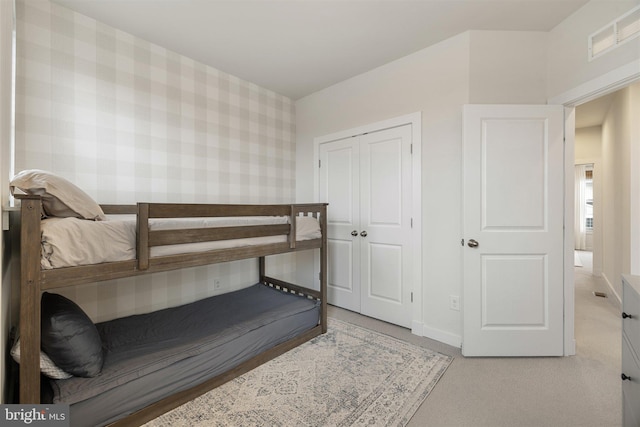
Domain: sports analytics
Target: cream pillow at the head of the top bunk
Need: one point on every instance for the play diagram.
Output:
(60, 198)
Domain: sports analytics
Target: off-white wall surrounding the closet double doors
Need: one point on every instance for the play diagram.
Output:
(437, 81)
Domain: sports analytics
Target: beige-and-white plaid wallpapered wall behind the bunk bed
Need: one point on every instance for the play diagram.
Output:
(130, 121)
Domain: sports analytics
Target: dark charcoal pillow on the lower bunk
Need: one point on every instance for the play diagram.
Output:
(69, 337)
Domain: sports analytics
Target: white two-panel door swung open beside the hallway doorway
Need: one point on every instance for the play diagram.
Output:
(513, 231)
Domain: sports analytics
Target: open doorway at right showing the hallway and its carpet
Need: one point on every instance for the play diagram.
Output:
(602, 146)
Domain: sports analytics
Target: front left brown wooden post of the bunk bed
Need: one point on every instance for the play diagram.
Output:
(31, 209)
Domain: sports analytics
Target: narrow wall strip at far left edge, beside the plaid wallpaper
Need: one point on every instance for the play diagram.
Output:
(6, 42)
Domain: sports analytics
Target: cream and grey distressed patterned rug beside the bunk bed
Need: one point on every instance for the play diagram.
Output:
(349, 376)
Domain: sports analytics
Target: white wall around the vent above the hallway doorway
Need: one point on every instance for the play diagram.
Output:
(568, 65)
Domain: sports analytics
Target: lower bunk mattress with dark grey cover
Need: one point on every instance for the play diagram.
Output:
(151, 356)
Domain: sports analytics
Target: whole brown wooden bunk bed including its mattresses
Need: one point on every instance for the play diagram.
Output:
(160, 247)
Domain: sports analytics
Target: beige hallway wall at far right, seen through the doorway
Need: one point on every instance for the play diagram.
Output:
(618, 148)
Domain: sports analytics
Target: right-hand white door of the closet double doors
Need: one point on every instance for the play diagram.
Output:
(385, 222)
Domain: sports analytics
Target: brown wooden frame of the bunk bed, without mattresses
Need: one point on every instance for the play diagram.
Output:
(34, 280)
